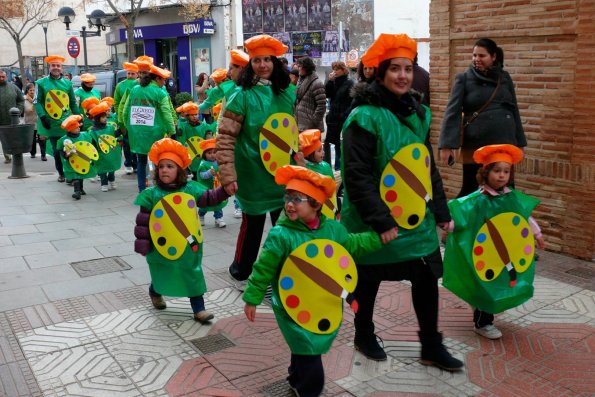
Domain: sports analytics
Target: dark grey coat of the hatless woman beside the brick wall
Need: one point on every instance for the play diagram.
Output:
(499, 123)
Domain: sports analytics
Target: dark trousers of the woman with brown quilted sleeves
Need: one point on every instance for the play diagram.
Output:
(248, 243)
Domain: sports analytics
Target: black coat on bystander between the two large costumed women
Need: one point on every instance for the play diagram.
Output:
(338, 92)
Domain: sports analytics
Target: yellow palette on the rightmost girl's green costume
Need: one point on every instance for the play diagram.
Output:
(503, 242)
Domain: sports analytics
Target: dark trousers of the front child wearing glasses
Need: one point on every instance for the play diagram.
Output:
(306, 375)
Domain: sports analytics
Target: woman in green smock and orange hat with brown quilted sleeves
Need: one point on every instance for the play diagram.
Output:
(264, 91)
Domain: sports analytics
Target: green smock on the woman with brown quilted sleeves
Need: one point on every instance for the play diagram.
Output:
(257, 191)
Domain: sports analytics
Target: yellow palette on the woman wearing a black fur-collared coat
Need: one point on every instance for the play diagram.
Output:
(406, 186)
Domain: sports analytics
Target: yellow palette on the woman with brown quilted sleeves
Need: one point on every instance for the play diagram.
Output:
(278, 140)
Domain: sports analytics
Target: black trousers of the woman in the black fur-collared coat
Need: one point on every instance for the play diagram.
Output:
(424, 292)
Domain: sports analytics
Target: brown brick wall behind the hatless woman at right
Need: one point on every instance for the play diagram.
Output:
(549, 50)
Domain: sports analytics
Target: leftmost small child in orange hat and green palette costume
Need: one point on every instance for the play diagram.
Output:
(78, 154)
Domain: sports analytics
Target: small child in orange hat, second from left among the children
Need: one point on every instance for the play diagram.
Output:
(105, 137)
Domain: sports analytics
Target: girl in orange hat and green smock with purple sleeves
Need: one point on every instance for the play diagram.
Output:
(167, 229)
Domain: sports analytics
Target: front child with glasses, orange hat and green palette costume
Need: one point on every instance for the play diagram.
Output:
(306, 259)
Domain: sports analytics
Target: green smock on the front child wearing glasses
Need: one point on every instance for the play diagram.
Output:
(282, 239)
